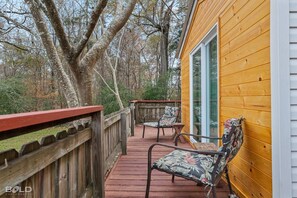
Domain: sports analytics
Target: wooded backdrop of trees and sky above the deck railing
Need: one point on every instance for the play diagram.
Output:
(57, 53)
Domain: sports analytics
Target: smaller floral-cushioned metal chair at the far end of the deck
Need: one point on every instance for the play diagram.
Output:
(165, 121)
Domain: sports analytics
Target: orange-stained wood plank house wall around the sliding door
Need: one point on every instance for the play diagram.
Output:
(244, 83)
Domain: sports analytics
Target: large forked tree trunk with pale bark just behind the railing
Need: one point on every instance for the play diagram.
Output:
(73, 58)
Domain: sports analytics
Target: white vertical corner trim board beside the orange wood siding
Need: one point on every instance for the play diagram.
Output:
(280, 99)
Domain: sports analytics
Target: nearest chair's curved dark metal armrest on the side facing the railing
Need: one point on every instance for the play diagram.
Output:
(212, 153)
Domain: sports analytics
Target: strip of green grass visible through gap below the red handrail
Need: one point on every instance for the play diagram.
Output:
(17, 142)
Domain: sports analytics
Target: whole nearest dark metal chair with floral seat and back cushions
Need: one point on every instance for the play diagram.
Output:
(204, 167)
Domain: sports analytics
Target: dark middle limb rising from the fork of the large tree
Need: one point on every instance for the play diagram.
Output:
(94, 19)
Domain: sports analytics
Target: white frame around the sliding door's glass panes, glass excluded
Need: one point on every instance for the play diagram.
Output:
(202, 45)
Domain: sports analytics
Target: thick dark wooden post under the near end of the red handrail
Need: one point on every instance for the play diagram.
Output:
(98, 154)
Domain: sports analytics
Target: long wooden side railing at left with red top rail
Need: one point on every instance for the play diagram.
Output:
(69, 164)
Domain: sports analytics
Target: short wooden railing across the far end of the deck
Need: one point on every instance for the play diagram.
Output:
(154, 108)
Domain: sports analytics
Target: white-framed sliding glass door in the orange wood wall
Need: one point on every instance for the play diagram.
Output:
(204, 88)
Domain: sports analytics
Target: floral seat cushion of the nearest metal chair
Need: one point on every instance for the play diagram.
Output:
(185, 164)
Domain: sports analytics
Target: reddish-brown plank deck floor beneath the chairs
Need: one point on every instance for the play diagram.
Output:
(128, 177)
